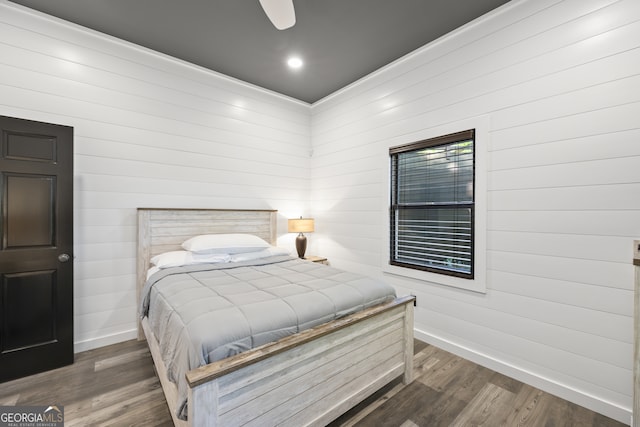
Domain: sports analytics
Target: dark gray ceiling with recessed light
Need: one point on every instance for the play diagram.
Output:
(340, 41)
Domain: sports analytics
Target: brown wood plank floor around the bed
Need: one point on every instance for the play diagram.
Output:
(117, 386)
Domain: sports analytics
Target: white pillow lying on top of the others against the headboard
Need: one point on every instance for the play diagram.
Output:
(225, 243)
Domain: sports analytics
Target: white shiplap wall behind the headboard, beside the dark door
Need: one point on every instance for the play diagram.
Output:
(150, 131)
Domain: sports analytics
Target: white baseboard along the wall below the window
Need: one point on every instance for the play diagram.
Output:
(593, 403)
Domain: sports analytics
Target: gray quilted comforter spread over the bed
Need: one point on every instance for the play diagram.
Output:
(208, 312)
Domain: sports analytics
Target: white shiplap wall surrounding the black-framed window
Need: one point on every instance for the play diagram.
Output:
(557, 82)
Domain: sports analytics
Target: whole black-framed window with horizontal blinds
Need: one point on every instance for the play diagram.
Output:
(432, 205)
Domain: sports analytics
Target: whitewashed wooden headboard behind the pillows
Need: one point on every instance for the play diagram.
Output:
(162, 230)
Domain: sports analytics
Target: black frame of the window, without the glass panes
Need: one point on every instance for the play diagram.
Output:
(395, 207)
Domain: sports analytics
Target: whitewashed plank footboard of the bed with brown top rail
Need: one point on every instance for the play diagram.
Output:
(309, 378)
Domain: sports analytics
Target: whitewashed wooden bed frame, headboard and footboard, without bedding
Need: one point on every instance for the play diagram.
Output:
(309, 378)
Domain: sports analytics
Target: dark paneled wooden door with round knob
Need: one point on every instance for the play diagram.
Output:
(36, 247)
